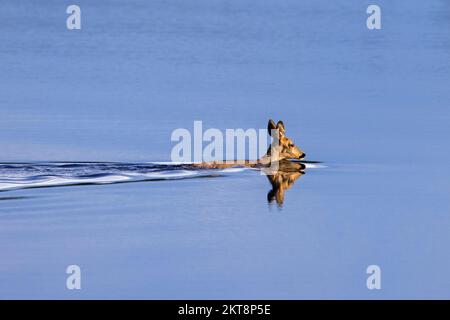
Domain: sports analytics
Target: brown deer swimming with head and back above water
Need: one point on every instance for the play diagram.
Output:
(281, 148)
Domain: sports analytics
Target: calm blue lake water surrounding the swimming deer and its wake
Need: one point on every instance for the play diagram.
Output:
(371, 105)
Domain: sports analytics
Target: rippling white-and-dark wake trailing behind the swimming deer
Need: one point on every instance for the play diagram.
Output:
(52, 174)
